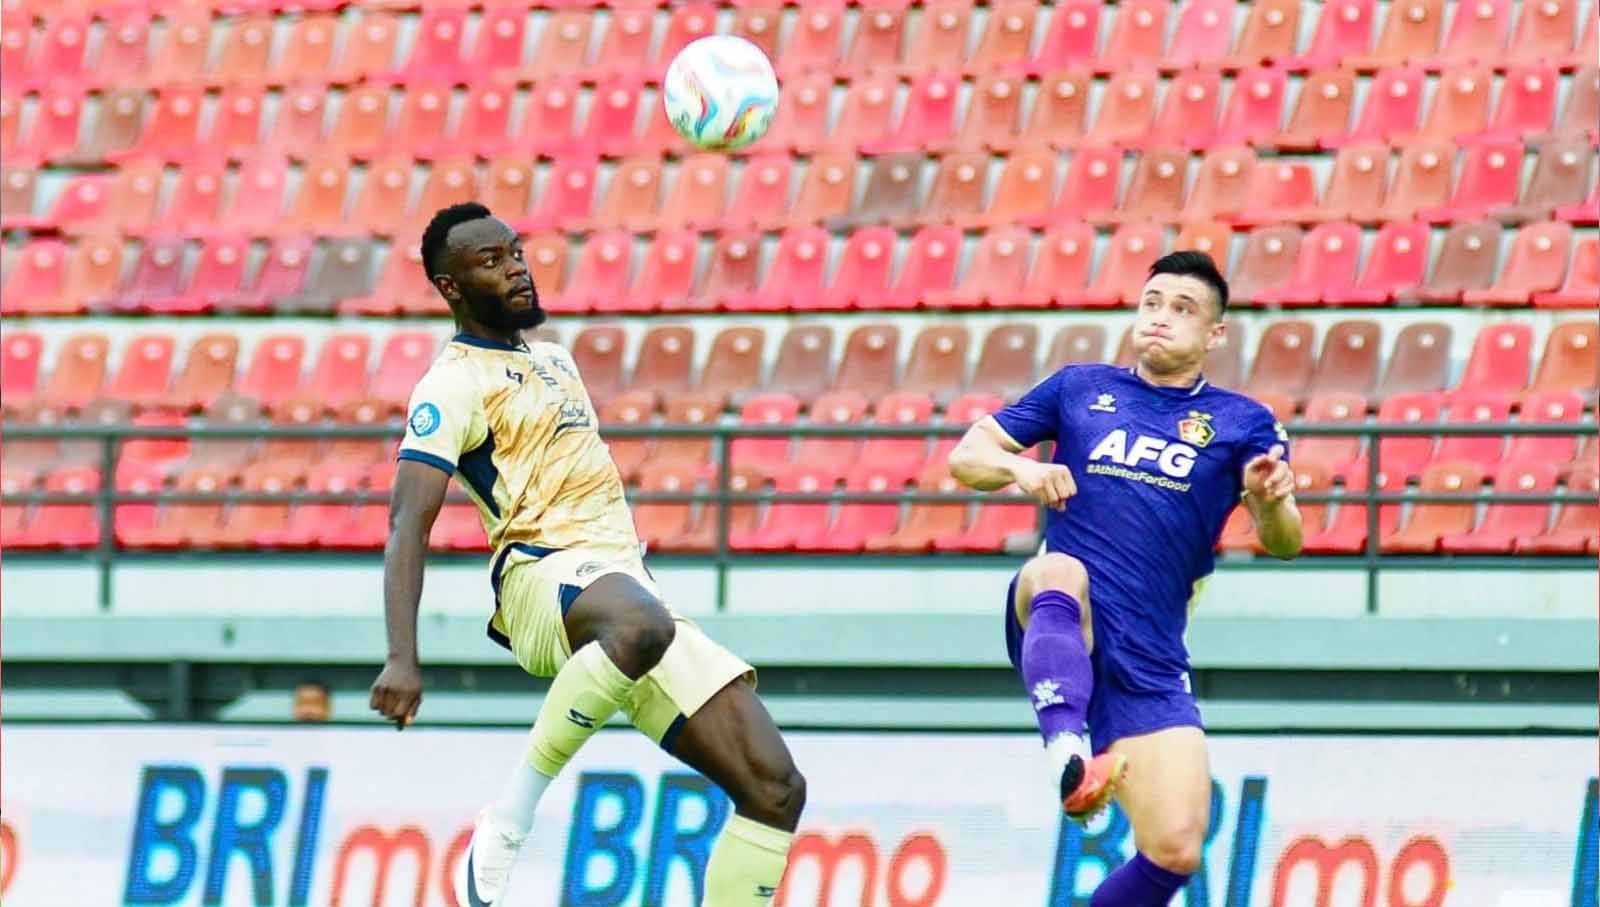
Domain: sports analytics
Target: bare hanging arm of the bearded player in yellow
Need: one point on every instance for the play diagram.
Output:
(420, 492)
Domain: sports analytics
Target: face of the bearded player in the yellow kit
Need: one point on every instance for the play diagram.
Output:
(489, 278)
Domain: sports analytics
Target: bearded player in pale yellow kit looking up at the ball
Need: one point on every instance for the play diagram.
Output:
(513, 423)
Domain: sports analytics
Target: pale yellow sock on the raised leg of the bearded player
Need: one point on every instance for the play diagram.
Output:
(585, 695)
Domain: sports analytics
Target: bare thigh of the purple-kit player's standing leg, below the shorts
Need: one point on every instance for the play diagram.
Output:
(1167, 794)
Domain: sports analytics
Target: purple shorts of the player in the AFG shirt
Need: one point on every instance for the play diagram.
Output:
(1118, 709)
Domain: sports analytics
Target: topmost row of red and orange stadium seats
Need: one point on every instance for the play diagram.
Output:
(454, 44)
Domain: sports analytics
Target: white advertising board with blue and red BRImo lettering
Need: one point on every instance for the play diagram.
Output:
(316, 818)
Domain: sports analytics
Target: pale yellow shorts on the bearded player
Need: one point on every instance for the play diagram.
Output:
(535, 594)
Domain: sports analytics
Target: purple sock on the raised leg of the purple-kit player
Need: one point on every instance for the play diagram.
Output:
(1057, 665)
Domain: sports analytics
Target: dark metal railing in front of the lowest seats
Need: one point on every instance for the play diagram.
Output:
(1372, 559)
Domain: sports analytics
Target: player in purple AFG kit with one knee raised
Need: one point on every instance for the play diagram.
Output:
(1150, 463)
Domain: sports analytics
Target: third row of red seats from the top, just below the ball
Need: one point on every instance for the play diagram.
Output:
(1434, 182)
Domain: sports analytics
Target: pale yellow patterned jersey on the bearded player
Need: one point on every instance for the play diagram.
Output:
(516, 428)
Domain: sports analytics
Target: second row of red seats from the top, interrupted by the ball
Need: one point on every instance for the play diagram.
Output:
(1134, 111)
